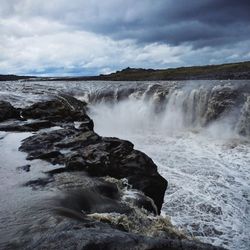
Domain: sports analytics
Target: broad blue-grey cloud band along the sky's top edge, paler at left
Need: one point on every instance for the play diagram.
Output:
(199, 22)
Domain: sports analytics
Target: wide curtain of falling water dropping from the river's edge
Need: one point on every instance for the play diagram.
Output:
(174, 107)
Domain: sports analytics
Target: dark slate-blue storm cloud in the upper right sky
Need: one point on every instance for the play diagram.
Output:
(201, 23)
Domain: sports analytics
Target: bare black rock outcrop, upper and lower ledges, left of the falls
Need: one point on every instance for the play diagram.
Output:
(82, 149)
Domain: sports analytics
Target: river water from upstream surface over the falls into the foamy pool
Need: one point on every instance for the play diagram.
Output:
(204, 158)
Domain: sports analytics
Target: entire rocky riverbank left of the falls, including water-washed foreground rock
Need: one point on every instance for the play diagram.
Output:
(109, 195)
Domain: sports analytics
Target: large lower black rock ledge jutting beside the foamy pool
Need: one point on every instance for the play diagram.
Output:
(98, 156)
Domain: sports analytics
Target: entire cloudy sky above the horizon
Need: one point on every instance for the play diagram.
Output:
(88, 37)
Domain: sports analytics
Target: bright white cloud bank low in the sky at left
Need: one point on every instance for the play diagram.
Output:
(37, 45)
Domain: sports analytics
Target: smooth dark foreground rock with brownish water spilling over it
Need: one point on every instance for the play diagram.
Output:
(75, 220)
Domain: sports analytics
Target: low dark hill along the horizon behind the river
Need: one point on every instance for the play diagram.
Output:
(234, 71)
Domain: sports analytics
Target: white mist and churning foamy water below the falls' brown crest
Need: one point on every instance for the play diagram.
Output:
(207, 169)
